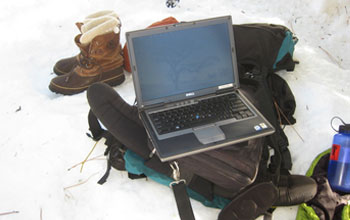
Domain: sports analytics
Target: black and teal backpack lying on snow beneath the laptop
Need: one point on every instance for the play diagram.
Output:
(218, 176)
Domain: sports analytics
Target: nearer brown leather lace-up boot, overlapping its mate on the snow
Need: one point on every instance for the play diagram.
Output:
(98, 61)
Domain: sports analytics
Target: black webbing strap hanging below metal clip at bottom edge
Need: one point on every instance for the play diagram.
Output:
(183, 201)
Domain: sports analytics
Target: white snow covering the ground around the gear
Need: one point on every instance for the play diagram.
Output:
(43, 134)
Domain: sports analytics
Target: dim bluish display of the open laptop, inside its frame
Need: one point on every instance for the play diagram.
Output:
(183, 61)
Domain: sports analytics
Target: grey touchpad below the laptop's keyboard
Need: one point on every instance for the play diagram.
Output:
(209, 134)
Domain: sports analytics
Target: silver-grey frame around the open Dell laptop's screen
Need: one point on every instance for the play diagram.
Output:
(180, 26)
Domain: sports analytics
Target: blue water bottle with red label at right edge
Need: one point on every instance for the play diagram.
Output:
(339, 161)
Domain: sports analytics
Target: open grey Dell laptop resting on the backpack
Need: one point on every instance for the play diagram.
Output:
(187, 88)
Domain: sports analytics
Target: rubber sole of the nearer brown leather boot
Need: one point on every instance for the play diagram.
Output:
(117, 80)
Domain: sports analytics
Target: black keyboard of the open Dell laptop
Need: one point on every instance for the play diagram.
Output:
(205, 111)
